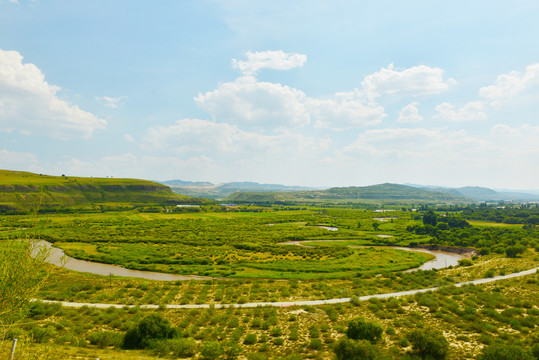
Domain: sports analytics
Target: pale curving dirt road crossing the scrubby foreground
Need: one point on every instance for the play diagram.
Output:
(297, 303)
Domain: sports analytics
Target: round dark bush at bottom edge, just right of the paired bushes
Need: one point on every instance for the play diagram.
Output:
(429, 344)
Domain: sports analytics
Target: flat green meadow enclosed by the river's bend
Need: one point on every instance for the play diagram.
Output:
(229, 244)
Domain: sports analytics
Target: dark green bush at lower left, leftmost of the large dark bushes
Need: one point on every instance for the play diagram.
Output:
(145, 333)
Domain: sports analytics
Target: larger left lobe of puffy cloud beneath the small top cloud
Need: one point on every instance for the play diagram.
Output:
(247, 101)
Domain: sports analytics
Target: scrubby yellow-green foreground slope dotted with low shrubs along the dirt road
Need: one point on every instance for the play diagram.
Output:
(471, 317)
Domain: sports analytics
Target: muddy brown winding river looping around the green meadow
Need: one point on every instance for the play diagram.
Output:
(57, 257)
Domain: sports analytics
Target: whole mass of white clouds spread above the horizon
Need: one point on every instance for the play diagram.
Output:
(396, 118)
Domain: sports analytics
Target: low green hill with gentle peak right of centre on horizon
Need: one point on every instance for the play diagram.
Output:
(387, 193)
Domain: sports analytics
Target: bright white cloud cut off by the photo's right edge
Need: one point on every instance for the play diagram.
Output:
(511, 84)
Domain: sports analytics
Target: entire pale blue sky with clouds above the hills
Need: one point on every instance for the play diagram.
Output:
(316, 93)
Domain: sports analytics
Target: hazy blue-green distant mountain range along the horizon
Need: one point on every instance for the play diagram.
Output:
(256, 192)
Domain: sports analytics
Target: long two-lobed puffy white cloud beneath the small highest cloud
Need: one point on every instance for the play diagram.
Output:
(252, 103)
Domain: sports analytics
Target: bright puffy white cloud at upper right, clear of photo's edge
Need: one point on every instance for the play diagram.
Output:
(414, 81)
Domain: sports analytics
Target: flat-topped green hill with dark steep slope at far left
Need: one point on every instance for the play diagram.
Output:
(24, 190)
